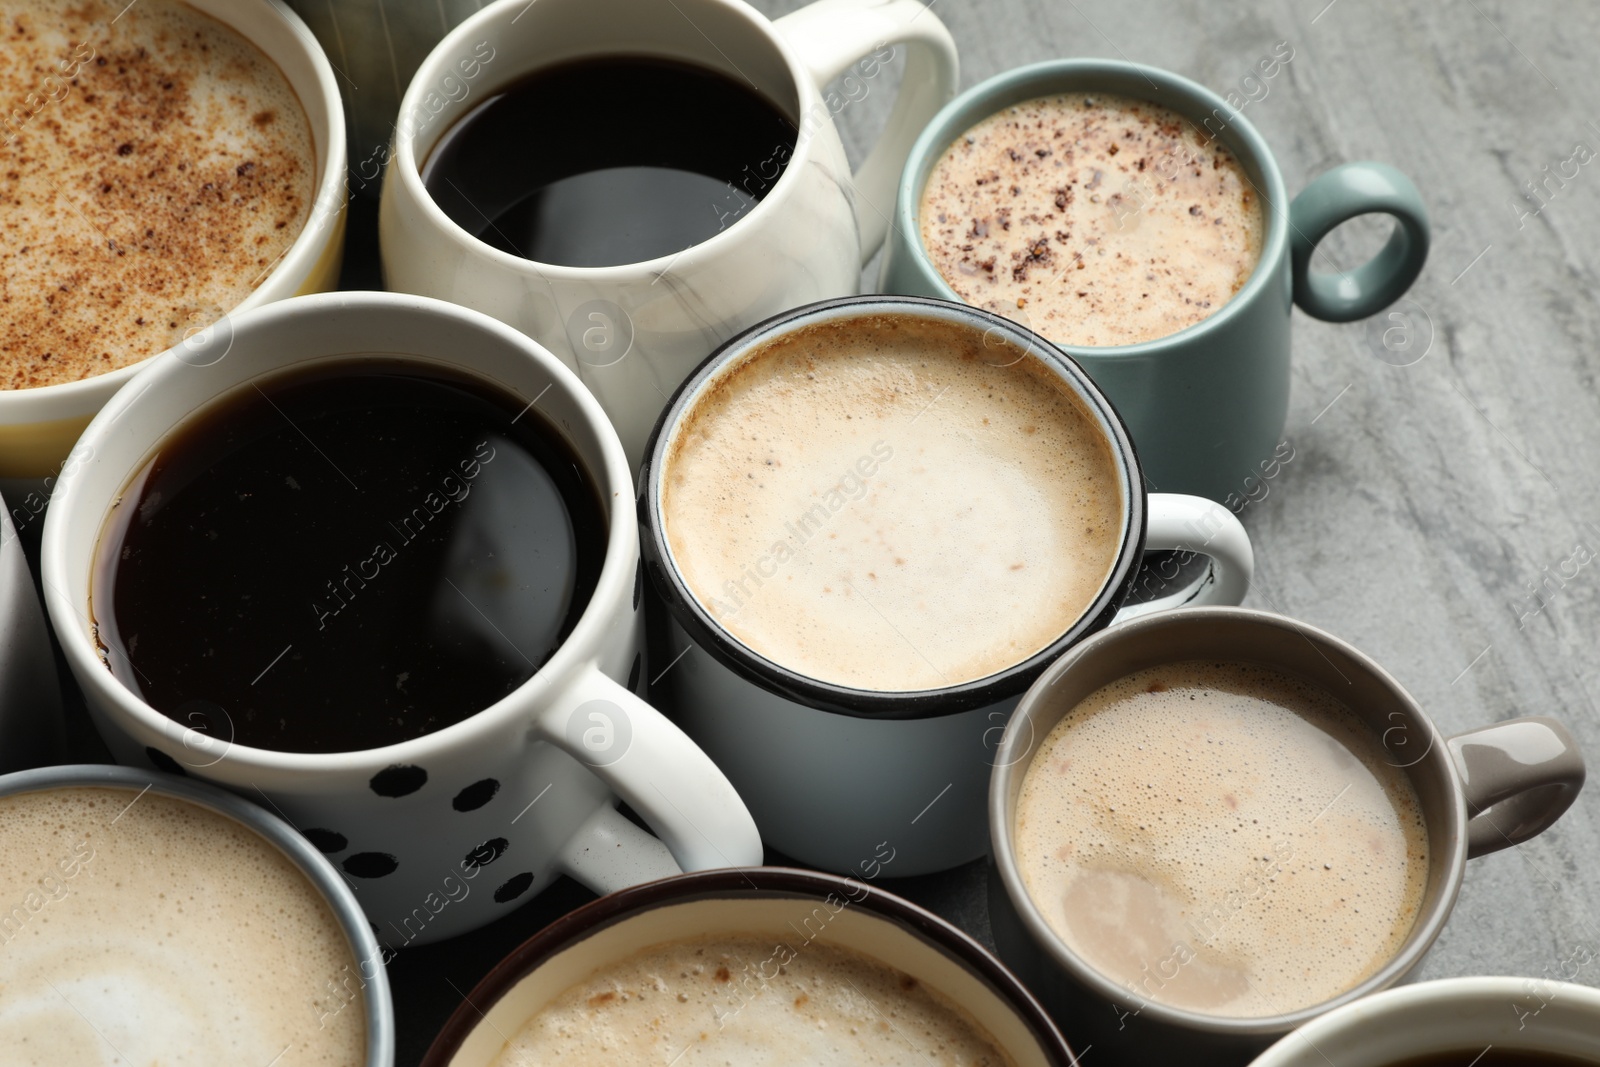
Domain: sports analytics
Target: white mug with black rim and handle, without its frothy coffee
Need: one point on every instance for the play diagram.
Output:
(831, 772)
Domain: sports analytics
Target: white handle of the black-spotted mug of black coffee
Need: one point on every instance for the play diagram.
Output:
(663, 775)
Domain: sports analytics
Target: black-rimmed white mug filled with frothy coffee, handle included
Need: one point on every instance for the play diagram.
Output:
(874, 524)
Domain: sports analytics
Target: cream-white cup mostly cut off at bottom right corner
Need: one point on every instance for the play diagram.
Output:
(1454, 1015)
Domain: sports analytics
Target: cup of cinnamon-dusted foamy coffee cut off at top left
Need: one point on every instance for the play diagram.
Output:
(39, 425)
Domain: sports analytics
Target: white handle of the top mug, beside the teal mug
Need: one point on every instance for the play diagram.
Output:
(831, 38)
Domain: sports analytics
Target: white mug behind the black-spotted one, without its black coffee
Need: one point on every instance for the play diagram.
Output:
(634, 332)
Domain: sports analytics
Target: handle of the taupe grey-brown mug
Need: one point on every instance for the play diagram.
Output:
(1519, 778)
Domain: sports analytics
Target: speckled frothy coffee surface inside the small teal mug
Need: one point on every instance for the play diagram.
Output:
(1094, 218)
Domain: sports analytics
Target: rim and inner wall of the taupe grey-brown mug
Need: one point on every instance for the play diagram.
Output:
(1399, 729)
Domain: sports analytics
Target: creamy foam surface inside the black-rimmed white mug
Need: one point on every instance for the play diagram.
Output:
(892, 503)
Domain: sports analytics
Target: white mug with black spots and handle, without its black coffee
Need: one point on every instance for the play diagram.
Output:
(446, 833)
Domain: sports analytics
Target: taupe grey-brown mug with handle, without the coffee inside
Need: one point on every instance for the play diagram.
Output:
(1479, 793)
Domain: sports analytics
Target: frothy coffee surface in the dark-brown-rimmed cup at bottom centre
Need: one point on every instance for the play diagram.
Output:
(748, 1001)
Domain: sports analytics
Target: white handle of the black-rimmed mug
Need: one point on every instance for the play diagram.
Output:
(1198, 527)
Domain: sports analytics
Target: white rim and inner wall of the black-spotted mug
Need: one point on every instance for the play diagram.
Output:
(282, 338)
